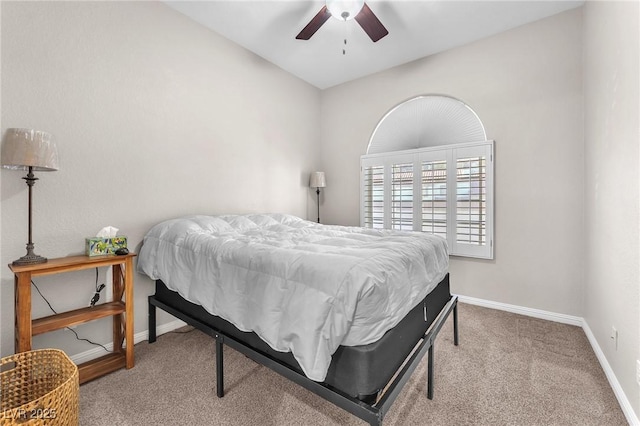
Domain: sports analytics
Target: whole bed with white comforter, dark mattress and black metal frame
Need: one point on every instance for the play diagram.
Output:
(346, 312)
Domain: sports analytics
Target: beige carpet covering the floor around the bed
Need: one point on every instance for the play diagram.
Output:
(508, 370)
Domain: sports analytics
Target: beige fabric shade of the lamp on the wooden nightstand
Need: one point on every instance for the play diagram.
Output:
(24, 148)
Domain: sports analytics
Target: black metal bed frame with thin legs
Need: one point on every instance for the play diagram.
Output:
(371, 413)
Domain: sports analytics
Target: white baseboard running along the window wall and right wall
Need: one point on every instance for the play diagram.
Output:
(627, 409)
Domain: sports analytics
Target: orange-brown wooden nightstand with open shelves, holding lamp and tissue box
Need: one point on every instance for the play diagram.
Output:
(121, 311)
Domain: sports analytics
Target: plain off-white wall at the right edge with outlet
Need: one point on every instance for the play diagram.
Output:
(612, 184)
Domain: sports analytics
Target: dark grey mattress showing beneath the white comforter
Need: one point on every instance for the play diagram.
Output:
(358, 371)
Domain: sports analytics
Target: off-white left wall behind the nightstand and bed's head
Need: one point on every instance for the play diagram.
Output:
(154, 117)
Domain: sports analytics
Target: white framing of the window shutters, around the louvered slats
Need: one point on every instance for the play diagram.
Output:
(451, 154)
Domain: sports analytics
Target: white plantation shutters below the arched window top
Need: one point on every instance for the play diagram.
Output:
(446, 191)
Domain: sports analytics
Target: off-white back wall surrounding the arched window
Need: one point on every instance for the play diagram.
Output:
(526, 86)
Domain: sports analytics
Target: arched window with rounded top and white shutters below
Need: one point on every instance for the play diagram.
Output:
(429, 168)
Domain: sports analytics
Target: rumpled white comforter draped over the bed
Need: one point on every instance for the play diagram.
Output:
(302, 287)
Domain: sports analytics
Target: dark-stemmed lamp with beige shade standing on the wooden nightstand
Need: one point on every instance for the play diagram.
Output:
(30, 150)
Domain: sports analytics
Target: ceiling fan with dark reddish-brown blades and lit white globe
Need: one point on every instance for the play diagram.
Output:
(346, 10)
